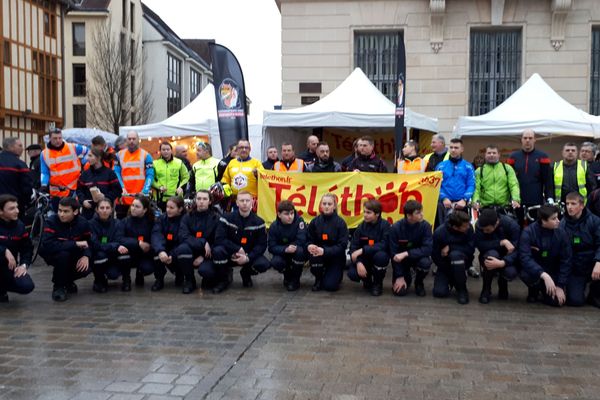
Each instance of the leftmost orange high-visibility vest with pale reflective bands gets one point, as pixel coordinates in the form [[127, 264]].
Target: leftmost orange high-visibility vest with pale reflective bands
[[65, 168]]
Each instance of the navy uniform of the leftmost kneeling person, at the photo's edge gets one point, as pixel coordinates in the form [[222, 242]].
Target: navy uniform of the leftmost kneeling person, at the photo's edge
[[15, 238]]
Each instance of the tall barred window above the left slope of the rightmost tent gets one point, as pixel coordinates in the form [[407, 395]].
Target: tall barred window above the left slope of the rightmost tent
[[494, 68]]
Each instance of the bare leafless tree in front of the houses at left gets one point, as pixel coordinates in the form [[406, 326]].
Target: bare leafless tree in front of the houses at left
[[116, 98]]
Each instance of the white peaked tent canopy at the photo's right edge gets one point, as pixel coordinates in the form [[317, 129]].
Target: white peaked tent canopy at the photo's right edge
[[533, 106]]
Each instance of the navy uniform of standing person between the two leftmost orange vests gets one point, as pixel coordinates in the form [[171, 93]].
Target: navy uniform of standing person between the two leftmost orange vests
[[104, 179]]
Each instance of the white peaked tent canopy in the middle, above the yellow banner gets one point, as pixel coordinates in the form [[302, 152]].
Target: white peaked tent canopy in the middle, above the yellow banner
[[355, 103]]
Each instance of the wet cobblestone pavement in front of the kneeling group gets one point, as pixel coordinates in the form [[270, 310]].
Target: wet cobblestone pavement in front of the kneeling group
[[266, 343]]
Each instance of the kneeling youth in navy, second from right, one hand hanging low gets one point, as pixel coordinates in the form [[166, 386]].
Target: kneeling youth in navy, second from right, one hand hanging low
[[545, 254]]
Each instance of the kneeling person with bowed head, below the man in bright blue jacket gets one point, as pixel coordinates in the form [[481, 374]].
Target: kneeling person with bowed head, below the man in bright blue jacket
[[453, 251]]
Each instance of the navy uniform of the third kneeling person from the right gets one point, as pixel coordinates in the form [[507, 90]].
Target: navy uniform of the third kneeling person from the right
[[488, 245]]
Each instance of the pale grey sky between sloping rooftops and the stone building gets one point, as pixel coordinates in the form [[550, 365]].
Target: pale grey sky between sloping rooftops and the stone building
[[251, 29]]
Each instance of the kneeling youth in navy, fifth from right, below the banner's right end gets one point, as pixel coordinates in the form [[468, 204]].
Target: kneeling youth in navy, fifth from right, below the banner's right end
[[410, 245]]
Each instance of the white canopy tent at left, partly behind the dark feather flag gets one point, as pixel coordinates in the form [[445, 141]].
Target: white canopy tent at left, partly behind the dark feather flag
[[196, 119]]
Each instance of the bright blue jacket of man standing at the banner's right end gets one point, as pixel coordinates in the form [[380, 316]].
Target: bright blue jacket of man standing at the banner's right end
[[458, 181]]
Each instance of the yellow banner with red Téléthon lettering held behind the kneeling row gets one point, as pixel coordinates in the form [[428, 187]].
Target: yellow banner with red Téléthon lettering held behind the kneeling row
[[352, 189]]
